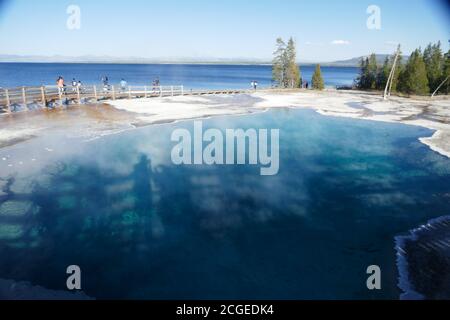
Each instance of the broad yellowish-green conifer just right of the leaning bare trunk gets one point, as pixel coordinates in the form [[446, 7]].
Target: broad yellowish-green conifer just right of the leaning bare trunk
[[413, 79]]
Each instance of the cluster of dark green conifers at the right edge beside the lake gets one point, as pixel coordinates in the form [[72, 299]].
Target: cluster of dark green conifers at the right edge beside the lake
[[421, 74]]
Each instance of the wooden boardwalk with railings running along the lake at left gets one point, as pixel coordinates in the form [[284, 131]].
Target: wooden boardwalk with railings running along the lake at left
[[43, 97]]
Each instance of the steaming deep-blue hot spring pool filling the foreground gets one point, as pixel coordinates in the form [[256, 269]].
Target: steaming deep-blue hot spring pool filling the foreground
[[141, 227]]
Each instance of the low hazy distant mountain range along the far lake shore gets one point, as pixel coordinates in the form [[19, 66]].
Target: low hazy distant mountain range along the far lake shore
[[354, 62]]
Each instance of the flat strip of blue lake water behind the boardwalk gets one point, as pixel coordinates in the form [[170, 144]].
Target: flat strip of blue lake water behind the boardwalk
[[191, 76]]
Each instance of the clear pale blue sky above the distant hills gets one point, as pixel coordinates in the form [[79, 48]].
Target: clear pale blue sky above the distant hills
[[220, 29]]
